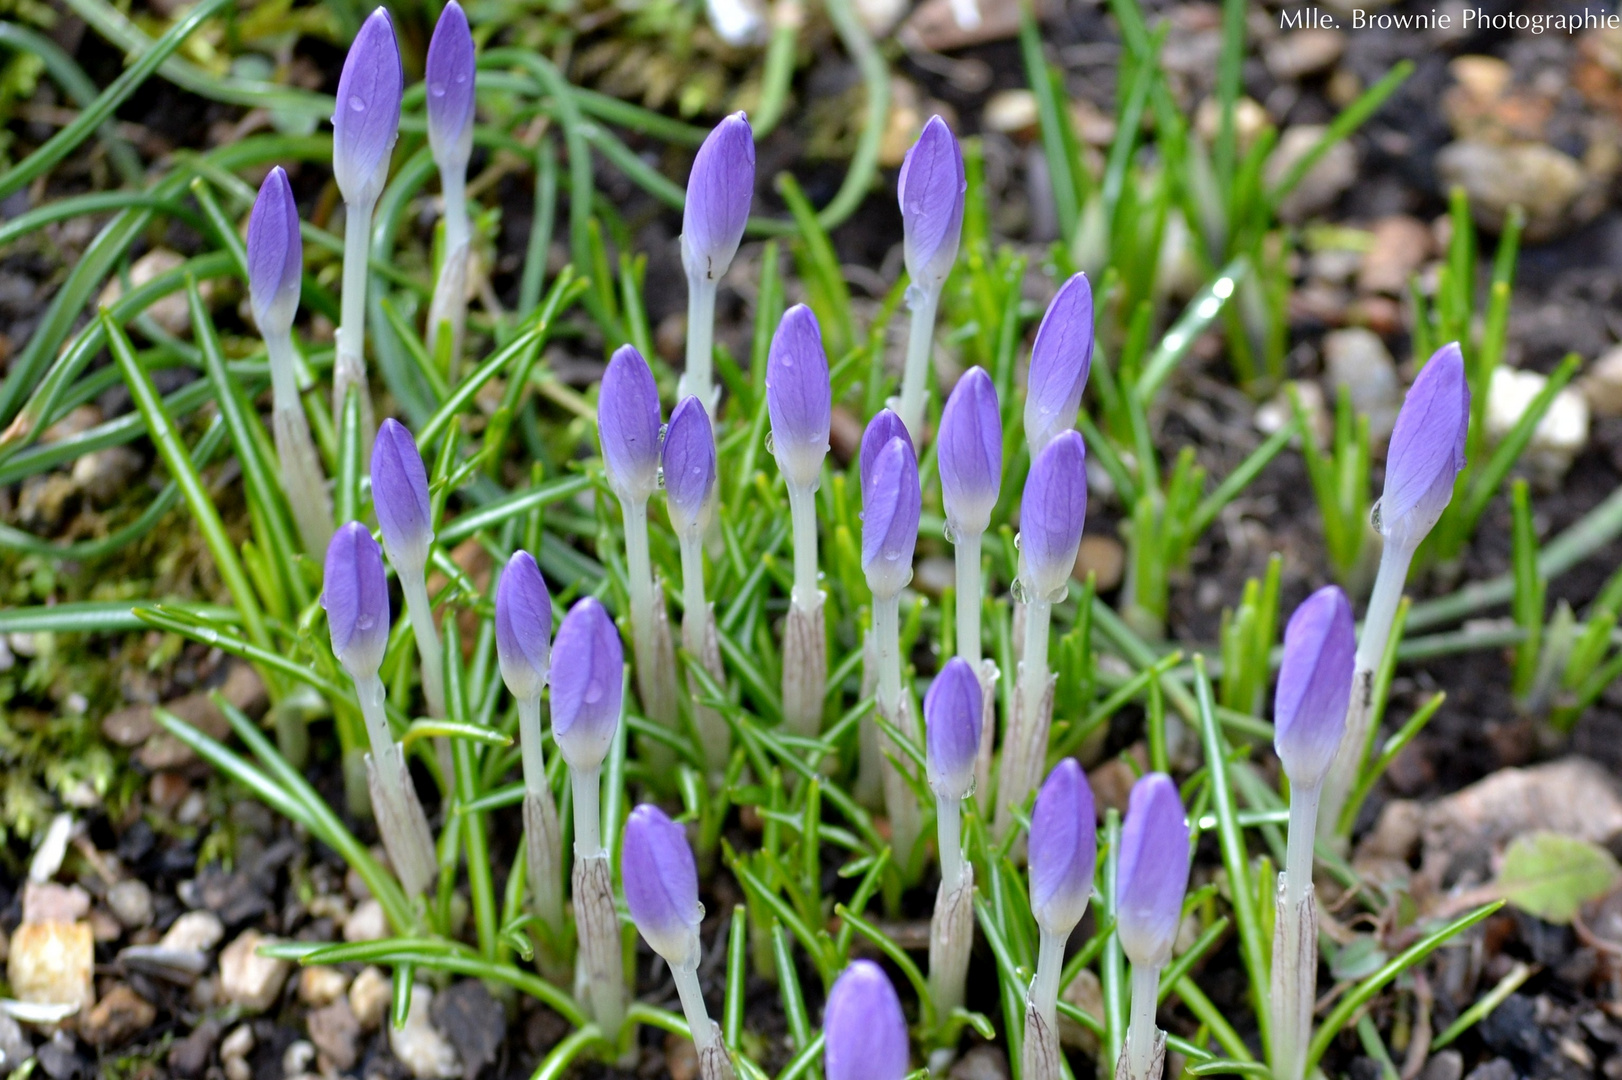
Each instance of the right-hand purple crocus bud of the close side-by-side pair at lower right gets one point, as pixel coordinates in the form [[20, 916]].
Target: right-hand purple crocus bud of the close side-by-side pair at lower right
[[1154, 872]]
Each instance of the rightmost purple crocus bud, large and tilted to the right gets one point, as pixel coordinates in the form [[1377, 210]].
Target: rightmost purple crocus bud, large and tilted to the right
[[1427, 452]]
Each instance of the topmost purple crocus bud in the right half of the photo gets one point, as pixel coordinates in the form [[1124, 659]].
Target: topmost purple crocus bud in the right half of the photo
[[932, 195]]
